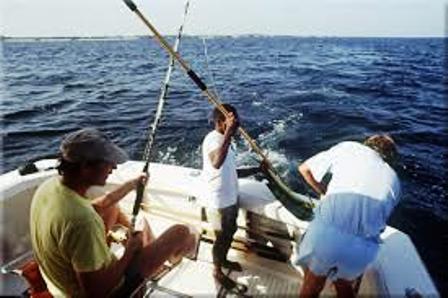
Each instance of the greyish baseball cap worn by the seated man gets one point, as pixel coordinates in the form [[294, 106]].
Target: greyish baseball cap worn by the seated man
[[89, 144]]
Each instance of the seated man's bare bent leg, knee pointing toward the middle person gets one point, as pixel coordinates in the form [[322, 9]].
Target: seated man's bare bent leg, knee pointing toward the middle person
[[175, 242]]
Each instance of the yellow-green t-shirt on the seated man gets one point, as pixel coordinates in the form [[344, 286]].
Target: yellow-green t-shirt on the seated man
[[67, 235]]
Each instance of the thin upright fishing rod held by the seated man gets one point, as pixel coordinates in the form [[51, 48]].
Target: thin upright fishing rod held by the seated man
[[158, 115]]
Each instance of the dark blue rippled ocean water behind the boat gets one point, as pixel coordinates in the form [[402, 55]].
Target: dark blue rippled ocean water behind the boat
[[295, 96]]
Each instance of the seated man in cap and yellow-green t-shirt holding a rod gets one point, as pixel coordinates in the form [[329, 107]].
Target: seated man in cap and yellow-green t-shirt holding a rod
[[69, 236]]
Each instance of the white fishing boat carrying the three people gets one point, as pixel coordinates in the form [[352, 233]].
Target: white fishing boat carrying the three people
[[268, 234]]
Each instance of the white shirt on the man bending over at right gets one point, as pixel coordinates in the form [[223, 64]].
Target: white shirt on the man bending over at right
[[362, 191]]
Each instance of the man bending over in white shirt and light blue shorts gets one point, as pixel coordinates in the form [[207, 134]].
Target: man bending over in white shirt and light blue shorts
[[344, 237]]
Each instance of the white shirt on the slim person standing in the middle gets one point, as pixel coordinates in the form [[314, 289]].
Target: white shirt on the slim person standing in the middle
[[220, 185]]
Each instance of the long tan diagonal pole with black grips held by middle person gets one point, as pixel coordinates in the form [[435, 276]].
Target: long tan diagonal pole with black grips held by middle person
[[272, 176]]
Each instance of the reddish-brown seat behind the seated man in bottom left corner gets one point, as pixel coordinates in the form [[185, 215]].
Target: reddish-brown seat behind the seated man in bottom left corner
[[26, 267]]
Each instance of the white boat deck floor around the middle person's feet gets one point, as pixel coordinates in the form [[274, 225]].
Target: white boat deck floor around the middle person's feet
[[261, 275]]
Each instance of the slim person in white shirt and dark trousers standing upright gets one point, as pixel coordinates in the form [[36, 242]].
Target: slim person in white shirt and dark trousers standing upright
[[221, 177]]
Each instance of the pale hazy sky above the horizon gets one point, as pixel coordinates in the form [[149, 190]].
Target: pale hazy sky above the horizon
[[49, 18]]
